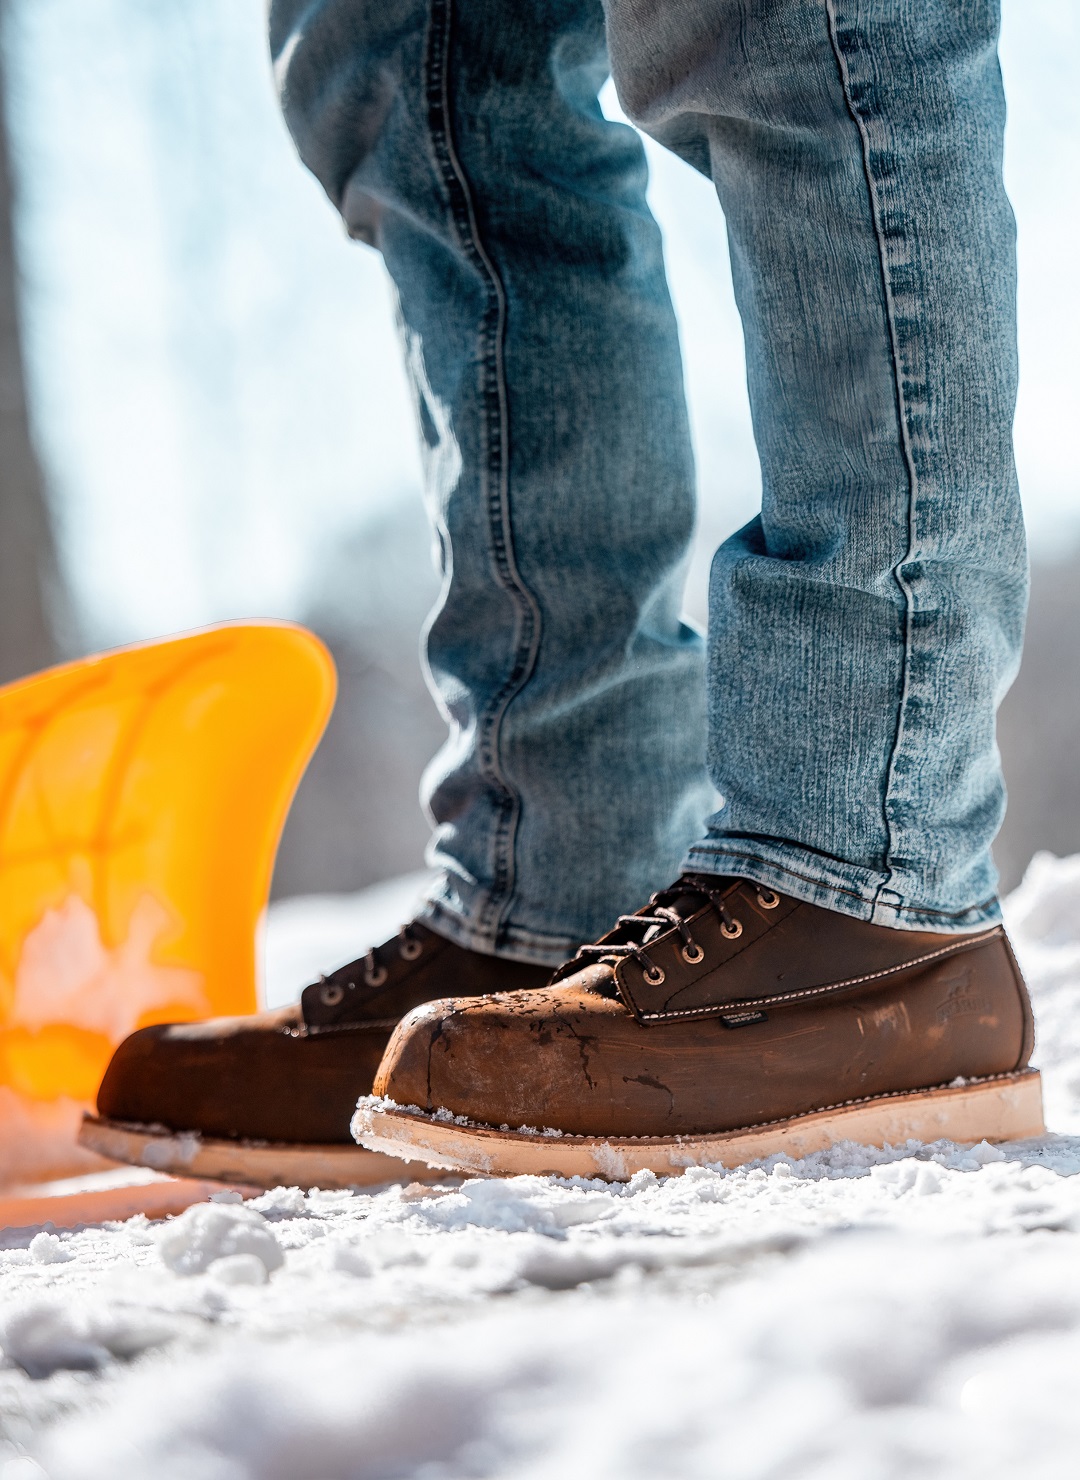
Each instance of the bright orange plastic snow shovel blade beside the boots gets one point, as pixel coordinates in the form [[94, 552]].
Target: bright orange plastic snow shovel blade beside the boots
[[143, 795]]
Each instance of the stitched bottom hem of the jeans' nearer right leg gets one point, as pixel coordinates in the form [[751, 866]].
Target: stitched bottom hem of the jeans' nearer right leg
[[859, 893]]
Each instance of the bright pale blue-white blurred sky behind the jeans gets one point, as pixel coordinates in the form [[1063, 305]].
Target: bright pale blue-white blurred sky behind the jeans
[[214, 366]]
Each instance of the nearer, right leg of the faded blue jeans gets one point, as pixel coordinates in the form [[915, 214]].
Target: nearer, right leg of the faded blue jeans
[[865, 630]]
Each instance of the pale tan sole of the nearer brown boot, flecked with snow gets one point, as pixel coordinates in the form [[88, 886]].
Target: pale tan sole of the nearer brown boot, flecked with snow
[[1008, 1108]]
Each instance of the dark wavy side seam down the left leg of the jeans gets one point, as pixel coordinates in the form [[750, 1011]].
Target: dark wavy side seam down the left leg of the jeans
[[496, 465]]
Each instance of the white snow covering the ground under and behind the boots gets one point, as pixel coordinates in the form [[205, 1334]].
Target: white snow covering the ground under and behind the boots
[[856, 1316]]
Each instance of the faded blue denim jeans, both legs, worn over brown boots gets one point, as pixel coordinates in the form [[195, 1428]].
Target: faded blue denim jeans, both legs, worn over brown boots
[[865, 628]]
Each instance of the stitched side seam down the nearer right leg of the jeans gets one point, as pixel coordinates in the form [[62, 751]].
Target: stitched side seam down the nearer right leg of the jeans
[[905, 442]]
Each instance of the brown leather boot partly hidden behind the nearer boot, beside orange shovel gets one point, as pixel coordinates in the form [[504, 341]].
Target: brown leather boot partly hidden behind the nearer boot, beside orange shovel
[[192, 1097]]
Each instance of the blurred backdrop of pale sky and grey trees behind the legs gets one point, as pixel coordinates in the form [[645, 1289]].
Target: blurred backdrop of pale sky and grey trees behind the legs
[[203, 412]]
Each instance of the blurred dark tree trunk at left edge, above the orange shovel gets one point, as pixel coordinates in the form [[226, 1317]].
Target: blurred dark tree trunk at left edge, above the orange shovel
[[29, 575]]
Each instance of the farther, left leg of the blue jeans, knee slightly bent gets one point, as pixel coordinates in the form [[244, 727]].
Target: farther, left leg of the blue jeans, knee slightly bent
[[464, 138]]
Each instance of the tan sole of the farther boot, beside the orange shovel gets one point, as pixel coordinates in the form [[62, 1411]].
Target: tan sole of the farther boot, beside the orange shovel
[[239, 1163]]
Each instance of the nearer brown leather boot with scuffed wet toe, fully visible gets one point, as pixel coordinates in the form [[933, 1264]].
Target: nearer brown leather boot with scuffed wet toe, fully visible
[[721, 1023]]
